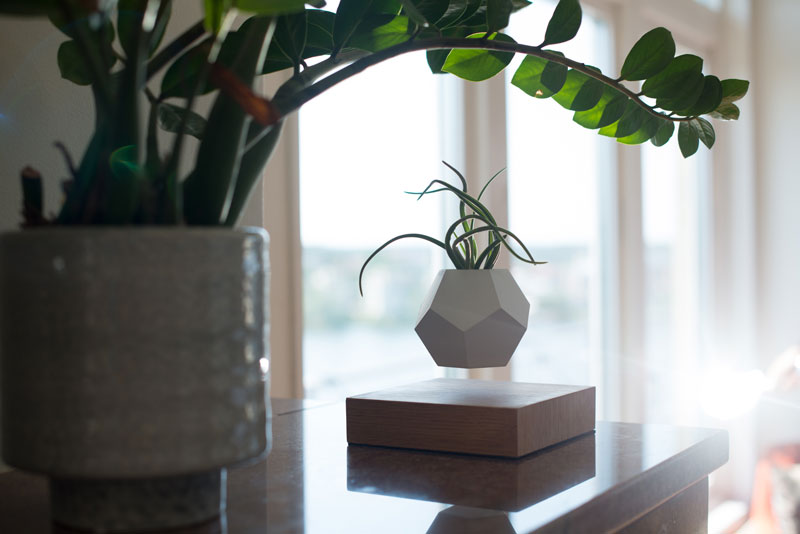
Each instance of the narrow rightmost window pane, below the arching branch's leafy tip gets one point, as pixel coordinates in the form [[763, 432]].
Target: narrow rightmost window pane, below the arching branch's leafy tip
[[673, 231]]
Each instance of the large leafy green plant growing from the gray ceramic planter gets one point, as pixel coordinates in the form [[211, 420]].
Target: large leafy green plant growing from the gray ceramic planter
[[114, 47]]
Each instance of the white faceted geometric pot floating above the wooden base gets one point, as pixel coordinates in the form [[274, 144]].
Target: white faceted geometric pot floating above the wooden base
[[473, 318]]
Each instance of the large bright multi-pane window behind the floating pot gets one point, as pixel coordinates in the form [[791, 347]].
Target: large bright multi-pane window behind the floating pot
[[624, 302]]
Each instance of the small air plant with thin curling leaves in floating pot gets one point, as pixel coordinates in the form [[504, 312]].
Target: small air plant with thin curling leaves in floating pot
[[459, 241]]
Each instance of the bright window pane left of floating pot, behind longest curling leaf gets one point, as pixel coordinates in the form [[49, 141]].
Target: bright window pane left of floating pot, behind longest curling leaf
[[362, 145]]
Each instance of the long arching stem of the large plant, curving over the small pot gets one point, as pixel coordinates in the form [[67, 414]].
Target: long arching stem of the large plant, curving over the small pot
[[293, 101]]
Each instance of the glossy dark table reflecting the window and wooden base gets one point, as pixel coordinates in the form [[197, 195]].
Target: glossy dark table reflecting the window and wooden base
[[623, 478]]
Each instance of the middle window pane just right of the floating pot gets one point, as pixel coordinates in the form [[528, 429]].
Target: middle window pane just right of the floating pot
[[554, 168]]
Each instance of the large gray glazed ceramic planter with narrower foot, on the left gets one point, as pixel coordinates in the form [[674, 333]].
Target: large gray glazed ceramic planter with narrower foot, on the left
[[132, 368]]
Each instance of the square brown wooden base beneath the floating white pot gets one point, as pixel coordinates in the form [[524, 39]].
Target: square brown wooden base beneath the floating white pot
[[508, 419]]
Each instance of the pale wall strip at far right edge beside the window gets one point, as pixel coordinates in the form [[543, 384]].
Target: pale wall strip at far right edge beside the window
[[777, 76]]
